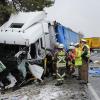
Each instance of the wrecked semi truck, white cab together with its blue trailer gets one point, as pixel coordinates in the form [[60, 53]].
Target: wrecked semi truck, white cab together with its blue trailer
[[30, 32]]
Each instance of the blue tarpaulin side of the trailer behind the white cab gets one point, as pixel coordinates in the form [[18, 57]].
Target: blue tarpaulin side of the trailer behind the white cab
[[66, 35]]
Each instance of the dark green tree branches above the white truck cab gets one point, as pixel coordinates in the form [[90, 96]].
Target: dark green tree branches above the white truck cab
[[10, 6]]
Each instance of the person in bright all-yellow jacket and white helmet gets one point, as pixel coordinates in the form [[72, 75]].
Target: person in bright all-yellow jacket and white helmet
[[78, 59]]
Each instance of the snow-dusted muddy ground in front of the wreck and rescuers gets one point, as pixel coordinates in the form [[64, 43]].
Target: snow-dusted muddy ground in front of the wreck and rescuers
[[70, 90]]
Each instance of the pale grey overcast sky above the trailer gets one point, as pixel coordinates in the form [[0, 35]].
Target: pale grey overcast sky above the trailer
[[80, 15]]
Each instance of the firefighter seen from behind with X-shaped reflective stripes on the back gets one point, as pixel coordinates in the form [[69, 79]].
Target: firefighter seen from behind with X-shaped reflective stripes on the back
[[60, 58]]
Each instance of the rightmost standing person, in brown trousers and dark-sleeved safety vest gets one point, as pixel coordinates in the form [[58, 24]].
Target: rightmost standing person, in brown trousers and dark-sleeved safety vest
[[85, 60]]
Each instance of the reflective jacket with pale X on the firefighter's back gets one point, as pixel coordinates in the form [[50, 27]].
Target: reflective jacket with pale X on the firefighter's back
[[61, 58]]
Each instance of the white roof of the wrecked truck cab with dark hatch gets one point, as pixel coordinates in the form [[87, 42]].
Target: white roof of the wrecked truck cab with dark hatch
[[23, 28]]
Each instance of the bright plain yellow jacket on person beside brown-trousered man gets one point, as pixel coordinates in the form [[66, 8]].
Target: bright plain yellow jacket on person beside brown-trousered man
[[78, 58]]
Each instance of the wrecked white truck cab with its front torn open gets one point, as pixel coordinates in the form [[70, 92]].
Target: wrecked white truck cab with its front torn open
[[23, 39]]
